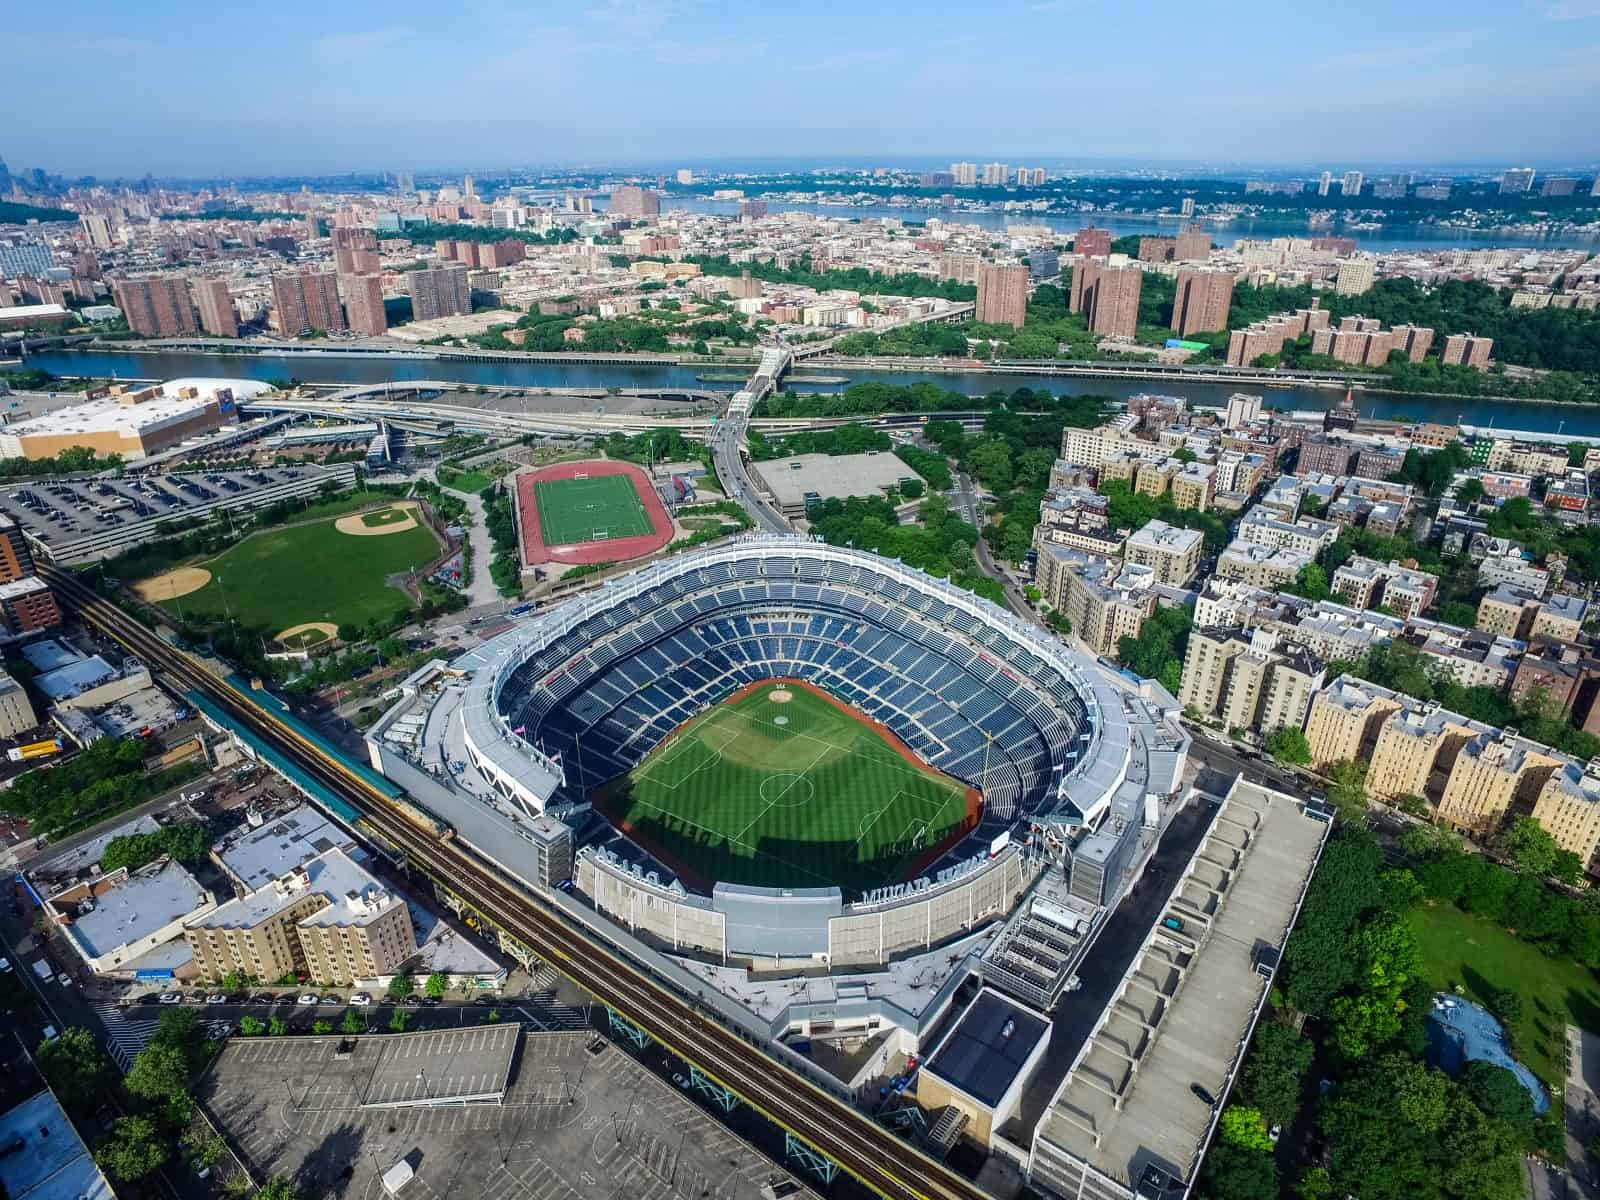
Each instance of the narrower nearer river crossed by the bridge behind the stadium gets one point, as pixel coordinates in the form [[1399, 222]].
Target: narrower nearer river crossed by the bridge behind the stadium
[[1583, 420]]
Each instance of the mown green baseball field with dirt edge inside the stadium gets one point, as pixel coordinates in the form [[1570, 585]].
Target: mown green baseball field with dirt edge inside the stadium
[[786, 794]]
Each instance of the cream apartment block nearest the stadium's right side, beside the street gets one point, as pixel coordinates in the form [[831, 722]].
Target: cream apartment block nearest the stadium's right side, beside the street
[[1250, 679]]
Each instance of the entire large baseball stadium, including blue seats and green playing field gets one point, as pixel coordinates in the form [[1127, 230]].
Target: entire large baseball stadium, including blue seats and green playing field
[[812, 754]]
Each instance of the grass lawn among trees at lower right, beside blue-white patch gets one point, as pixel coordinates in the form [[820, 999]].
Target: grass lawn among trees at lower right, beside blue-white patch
[[1466, 951]]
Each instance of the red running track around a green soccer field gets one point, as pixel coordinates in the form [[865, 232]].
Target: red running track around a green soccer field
[[590, 513]]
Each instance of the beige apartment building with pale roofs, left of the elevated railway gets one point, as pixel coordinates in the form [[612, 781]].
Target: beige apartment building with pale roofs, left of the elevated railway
[[327, 921]]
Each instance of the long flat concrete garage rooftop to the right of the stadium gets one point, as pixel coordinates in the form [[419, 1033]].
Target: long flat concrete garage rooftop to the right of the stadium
[[1188, 1001]]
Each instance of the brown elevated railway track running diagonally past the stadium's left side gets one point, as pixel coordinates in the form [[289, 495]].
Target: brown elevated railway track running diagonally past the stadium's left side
[[862, 1148]]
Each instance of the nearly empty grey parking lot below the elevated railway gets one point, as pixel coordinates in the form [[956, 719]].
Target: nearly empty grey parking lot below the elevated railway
[[580, 1121]]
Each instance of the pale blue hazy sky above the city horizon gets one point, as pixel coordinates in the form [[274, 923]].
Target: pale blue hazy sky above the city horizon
[[186, 89]]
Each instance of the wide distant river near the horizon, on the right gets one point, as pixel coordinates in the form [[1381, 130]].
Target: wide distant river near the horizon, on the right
[[1377, 241]]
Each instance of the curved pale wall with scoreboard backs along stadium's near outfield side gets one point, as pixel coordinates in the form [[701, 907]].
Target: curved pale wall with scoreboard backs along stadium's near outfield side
[[806, 926]]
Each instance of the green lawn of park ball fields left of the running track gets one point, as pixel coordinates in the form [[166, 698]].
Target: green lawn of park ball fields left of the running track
[[310, 574]]
